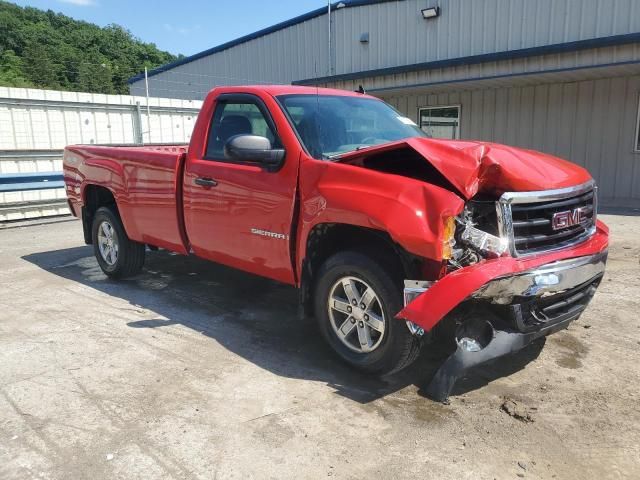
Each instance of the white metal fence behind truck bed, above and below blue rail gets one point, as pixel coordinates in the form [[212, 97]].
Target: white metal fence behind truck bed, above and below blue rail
[[35, 125]]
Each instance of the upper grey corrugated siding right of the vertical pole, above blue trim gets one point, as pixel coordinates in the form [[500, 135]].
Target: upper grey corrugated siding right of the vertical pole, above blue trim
[[400, 36]]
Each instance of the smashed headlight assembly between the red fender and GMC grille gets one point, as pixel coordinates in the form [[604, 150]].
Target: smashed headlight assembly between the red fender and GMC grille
[[477, 234]]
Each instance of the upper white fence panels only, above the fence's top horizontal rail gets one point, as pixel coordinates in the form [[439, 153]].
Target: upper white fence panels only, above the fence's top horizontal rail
[[48, 119]]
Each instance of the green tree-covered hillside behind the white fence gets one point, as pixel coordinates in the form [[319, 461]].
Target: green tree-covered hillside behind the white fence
[[50, 50]]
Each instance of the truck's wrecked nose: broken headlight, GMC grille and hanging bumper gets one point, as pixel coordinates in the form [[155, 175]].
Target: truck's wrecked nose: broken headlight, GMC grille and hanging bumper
[[511, 278]]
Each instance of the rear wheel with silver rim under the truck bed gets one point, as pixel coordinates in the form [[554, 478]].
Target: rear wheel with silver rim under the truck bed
[[117, 255]]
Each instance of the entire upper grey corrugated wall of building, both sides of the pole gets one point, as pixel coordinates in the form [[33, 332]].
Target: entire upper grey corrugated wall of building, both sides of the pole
[[399, 36]]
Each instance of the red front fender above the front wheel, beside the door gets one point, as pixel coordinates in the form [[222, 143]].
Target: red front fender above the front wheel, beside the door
[[410, 211]]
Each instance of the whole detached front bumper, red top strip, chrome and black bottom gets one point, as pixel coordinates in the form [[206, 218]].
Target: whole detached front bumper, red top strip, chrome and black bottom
[[524, 299]]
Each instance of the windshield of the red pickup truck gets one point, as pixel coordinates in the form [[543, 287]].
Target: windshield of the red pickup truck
[[330, 126]]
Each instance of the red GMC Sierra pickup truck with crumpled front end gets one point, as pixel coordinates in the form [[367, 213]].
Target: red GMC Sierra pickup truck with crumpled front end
[[395, 240]]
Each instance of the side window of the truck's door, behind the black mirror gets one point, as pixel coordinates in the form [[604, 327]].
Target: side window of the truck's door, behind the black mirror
[[236, 118]]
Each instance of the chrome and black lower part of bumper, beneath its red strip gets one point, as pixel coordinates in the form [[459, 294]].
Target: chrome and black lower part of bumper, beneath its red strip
[[510, 312]]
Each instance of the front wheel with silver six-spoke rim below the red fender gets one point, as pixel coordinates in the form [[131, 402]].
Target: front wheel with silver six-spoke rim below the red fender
[[355, 301]]
